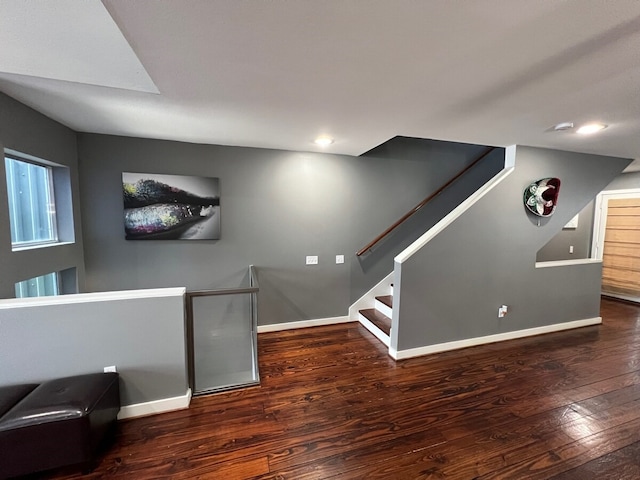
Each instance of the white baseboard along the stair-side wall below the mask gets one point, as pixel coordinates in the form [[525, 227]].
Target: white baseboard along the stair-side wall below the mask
[[499, 337]]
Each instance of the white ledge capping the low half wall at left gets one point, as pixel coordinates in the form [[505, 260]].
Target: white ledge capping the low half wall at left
[[91, 297]]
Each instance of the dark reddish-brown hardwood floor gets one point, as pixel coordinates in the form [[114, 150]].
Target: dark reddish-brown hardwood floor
[[332, 404]]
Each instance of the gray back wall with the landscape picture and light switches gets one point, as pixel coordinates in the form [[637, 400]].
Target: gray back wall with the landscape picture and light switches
[[276, 208]]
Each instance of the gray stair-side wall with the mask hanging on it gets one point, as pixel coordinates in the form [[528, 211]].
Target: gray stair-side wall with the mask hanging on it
[[451, 289]]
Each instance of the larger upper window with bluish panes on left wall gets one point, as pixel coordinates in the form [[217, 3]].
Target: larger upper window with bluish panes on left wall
[[32, 210]]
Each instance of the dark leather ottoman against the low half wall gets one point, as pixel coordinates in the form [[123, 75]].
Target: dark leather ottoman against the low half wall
[[59, 422]]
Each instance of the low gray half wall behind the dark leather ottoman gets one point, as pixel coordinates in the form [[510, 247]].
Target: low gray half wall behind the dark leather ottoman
[[143, 337]]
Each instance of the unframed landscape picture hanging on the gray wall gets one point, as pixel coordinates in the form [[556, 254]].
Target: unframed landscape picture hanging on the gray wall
[[170, 207]]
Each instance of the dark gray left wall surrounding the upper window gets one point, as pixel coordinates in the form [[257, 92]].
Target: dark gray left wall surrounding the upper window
[[27, 131]]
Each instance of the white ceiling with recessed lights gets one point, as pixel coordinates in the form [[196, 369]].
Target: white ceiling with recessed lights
[[278, 73]]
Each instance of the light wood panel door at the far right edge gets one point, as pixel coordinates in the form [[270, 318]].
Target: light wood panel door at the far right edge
[[621, 254]]
